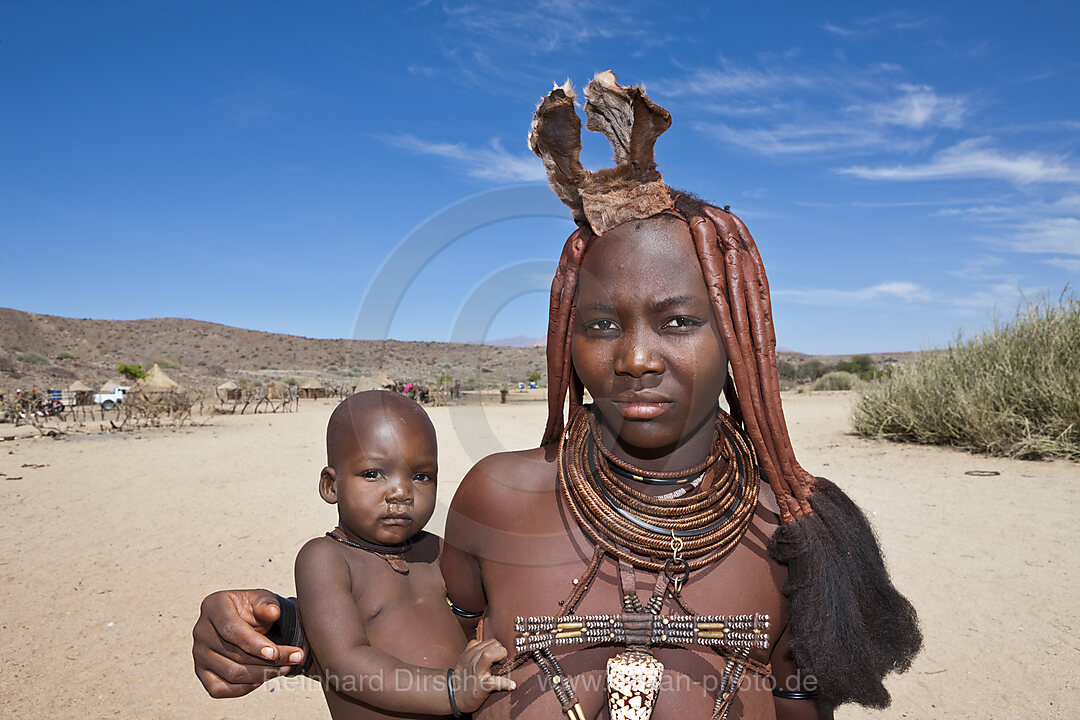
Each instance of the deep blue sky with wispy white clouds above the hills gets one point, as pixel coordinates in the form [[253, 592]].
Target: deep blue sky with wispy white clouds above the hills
[[907, 172]]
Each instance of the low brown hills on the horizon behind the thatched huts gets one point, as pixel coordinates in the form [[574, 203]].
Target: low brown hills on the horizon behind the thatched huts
[[47, 351]]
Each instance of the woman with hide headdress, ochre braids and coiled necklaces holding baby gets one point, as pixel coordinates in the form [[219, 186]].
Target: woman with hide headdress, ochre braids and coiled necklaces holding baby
[[656, 555]]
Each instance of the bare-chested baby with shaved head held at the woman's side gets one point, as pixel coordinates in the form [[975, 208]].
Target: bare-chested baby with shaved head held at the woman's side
[[371, 594]]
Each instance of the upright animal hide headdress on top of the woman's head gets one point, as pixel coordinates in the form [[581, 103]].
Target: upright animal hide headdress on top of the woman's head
[[632, 124]]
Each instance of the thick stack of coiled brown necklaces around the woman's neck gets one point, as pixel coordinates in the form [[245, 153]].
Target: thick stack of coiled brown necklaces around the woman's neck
[[695, 529]]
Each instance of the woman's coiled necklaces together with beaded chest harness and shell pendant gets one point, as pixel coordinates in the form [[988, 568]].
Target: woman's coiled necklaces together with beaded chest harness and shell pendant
[[671, 535]]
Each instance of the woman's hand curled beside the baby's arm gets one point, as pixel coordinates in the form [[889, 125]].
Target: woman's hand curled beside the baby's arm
[[232, 653]]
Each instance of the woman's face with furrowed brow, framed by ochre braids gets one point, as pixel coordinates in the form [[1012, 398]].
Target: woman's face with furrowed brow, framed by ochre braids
[[645, 343]]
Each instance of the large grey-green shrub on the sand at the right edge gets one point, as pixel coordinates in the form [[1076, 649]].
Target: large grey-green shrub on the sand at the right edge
[[1015, 390]]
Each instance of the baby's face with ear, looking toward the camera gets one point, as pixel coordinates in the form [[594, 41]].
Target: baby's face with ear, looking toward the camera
[[385, 480]]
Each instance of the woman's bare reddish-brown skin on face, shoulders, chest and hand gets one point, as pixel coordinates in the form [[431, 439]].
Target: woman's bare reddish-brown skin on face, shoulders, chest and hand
[[644, 324]]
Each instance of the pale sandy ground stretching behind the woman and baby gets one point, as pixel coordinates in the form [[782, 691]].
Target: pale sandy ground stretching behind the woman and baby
[[111, 547]]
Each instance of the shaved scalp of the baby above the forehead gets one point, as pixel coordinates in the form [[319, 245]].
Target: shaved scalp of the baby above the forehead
[[359, 414]]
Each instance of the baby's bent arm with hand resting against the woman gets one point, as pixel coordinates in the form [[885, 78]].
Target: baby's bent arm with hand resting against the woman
[[352, 667]]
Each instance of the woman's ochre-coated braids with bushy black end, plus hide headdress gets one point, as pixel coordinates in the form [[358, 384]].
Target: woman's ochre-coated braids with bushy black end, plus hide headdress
[[848, 624]]
